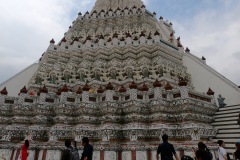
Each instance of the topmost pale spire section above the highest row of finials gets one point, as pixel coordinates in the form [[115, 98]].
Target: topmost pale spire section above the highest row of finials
[[114, 4]]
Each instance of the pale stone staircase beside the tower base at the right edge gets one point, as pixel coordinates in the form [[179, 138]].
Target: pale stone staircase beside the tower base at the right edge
[[228, 129]]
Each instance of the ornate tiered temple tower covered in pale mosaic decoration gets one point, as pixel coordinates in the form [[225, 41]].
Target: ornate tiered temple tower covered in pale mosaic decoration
[[117, 76]]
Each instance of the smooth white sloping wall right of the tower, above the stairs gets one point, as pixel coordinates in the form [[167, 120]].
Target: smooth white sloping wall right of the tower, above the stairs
[[204, 77]]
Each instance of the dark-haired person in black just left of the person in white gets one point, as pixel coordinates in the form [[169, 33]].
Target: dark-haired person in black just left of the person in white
[[203, 153]]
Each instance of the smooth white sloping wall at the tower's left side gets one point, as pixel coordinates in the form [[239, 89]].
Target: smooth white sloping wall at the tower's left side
[[17, 82]]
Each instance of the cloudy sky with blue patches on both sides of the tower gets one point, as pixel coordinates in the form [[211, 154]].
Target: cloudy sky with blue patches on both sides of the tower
[[210, 28]]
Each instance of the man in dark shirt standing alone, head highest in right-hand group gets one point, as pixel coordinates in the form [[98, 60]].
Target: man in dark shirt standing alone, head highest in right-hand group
[[166, 150]]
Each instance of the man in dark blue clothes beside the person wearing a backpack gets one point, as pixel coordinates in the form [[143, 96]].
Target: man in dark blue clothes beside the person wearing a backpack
[[87, 150]]
